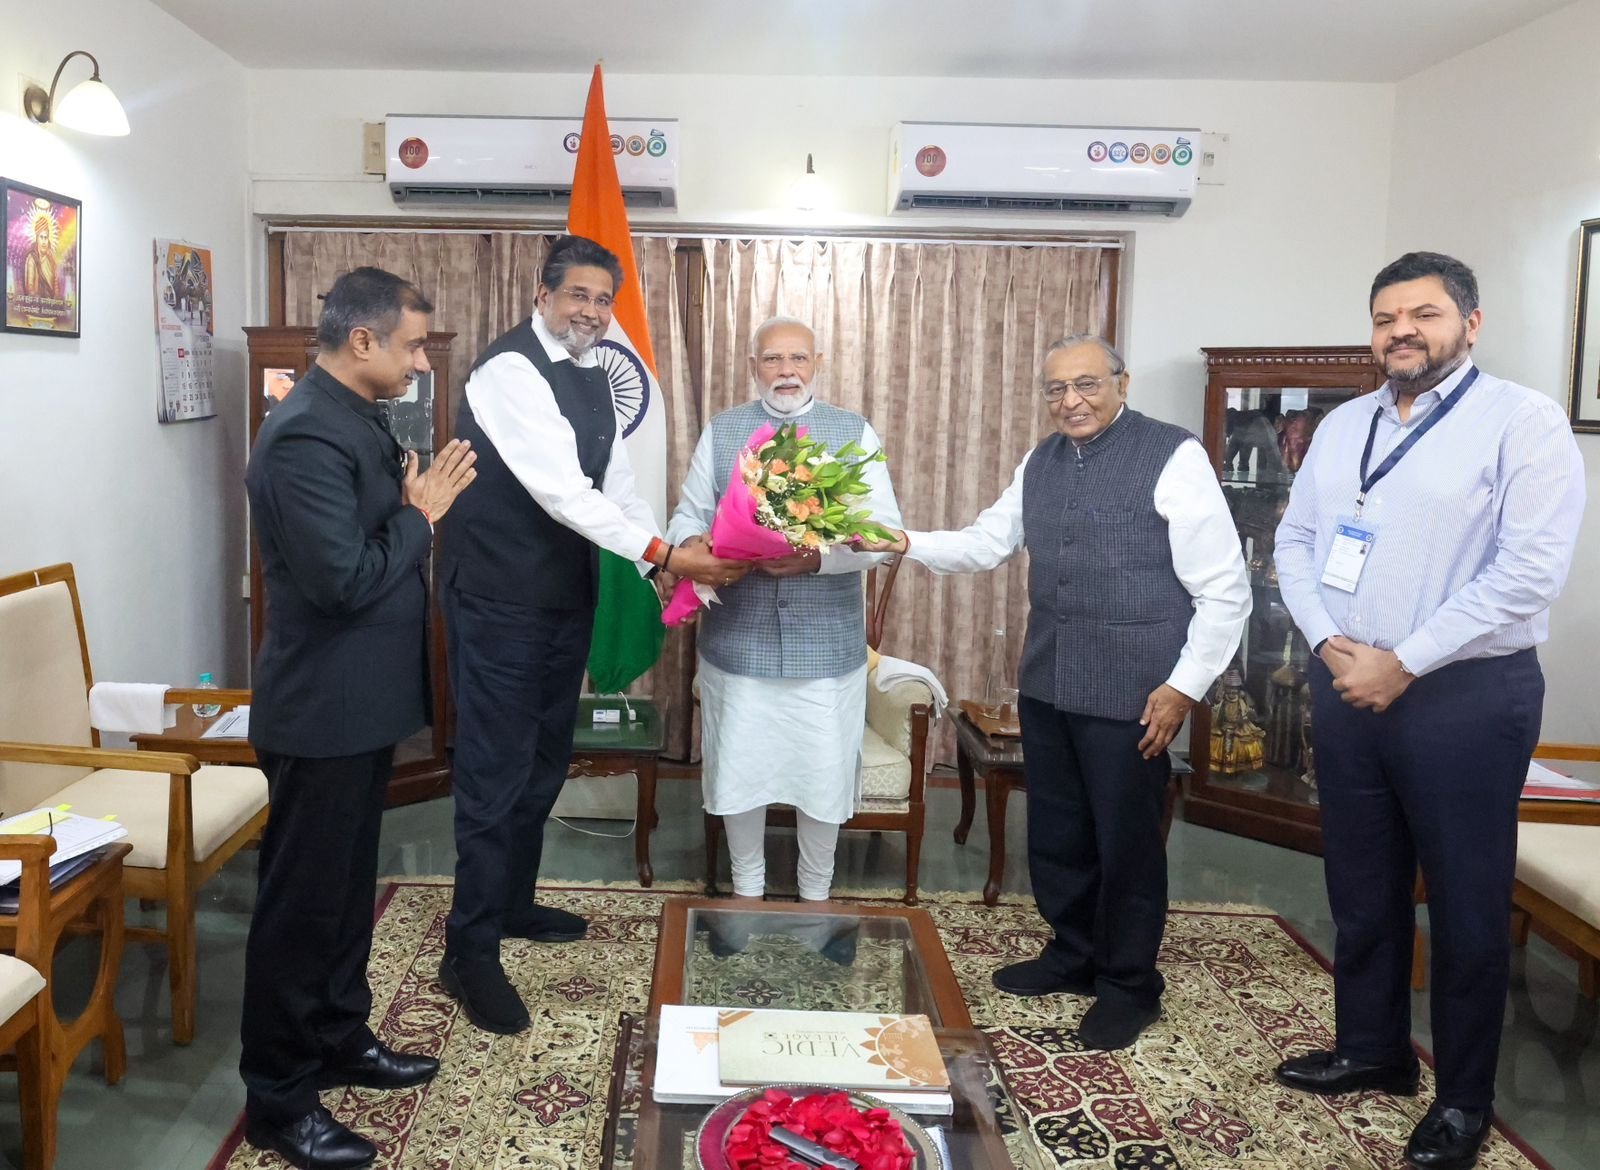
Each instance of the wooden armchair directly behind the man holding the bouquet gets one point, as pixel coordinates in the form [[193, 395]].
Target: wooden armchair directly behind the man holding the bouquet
[[894, 756]]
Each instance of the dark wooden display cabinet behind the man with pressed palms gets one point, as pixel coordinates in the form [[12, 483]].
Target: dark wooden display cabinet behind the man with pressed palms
[[279, 358]]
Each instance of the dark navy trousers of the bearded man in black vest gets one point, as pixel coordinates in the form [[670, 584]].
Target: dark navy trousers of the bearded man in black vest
[[516, 673]]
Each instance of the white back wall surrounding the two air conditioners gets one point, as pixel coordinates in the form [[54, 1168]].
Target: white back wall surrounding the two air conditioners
[[1282, 255]]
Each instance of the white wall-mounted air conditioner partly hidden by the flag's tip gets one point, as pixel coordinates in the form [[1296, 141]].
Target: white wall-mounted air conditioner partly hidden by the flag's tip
[[447, 159]]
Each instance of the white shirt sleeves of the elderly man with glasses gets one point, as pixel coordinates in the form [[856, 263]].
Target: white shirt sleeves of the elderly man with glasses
[[1201, 535]]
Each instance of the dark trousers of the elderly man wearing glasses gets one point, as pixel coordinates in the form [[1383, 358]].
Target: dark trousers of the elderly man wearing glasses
[[1095, 849]]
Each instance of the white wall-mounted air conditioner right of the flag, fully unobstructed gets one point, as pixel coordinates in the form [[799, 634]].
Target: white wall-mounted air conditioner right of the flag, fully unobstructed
[[969, 167]]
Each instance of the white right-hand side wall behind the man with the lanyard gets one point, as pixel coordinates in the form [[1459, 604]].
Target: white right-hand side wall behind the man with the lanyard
[[1497, 161]]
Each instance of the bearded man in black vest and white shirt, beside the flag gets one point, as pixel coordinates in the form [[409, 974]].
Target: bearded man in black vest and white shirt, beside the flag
[[521, 580]]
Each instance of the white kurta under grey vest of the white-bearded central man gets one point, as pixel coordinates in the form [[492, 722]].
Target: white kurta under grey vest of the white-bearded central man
[[788, 742]]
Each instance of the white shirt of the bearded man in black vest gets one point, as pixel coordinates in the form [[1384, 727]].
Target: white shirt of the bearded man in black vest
[[518, 412]]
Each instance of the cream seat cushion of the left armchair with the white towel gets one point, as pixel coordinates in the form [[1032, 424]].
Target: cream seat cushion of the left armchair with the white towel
[[225, 799]]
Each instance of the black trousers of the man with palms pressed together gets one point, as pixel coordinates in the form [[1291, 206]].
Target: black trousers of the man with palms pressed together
[[306, 995]]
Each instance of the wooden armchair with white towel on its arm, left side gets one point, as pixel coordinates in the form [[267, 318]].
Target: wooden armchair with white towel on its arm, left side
[[183, 820]]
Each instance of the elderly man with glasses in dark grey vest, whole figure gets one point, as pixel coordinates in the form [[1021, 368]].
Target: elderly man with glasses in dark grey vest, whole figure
[[1138, 598]]
